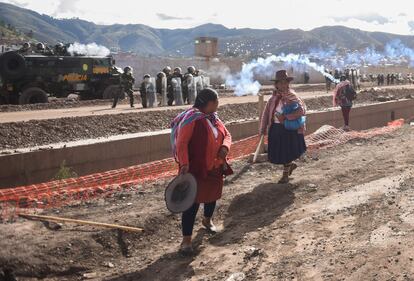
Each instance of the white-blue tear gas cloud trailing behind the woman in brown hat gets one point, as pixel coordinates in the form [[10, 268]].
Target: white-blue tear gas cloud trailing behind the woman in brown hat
[[244, 82]]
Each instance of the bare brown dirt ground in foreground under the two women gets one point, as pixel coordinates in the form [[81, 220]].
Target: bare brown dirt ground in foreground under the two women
[[348, 214]]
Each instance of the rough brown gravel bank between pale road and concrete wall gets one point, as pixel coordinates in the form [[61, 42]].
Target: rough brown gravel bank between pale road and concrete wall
[[33, 133]]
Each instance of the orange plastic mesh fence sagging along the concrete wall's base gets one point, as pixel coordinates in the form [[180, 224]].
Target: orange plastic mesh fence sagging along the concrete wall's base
[[14, 201]]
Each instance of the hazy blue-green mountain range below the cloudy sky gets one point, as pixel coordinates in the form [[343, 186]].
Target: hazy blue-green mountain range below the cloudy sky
[[145, 40]]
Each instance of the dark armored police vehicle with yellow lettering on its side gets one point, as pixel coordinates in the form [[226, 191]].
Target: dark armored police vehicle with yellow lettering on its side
[[32, 78]]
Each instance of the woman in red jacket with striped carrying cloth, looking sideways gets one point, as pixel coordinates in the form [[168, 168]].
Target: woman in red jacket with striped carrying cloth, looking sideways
[[201, 144]]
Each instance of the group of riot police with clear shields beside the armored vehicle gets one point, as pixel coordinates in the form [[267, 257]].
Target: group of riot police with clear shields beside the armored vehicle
[[168, 88]]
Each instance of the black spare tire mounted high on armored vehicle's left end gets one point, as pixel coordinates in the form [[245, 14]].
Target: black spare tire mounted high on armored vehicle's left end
[[12, 65]]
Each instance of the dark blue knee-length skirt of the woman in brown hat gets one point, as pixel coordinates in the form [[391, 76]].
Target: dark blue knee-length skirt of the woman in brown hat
[[284, 146]]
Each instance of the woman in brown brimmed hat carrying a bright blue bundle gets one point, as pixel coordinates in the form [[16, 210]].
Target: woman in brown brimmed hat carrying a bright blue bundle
[[284, 121]]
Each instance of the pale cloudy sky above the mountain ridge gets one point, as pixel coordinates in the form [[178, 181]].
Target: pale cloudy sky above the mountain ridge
[[371, 15]]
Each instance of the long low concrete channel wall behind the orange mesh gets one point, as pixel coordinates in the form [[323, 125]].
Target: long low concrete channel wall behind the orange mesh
[[91, 156]]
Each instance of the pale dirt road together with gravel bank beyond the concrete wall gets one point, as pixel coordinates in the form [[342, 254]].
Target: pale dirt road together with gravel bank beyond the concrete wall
[[32, 128]]
